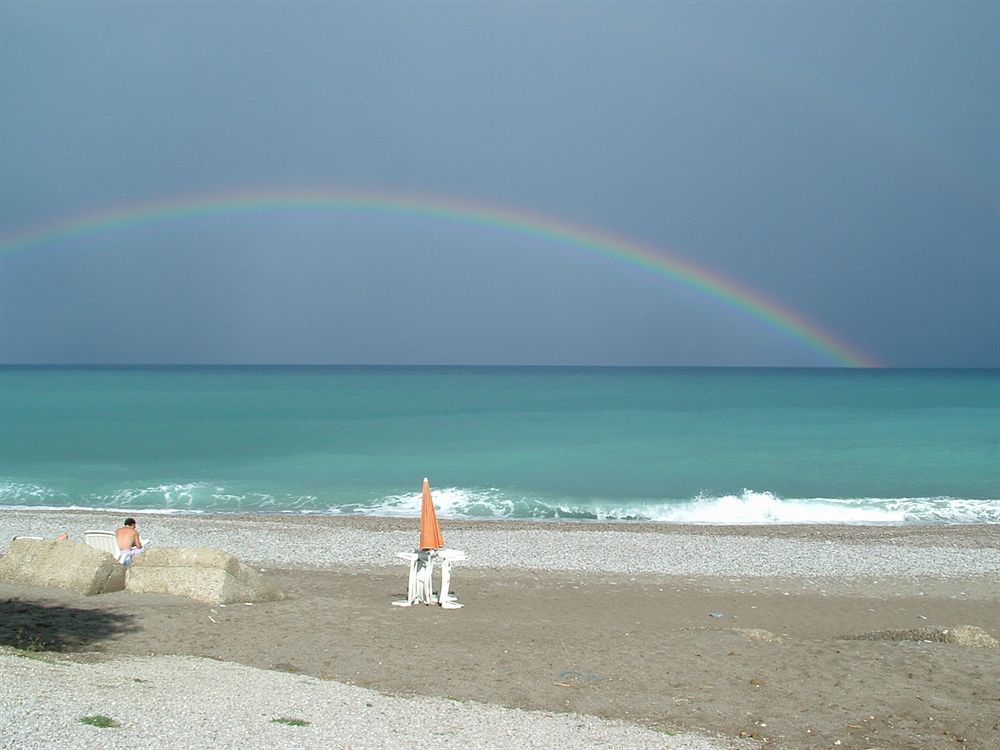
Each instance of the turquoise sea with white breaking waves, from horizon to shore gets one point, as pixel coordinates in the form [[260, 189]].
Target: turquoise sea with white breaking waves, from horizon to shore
[[583, 444]]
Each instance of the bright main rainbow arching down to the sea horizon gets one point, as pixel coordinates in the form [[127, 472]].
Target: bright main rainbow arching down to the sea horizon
[[678, 270]]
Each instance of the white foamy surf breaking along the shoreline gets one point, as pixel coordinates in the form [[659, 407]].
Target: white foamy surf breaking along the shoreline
[[747, 507]]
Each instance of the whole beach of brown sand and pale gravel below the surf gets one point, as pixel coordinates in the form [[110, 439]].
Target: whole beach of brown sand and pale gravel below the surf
[[639, 635]]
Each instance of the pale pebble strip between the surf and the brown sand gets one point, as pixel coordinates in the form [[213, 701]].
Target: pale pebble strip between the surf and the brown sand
[[327, 542]]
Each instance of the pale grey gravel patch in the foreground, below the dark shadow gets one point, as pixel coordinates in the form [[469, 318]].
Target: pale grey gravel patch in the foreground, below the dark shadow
[[181, 702]]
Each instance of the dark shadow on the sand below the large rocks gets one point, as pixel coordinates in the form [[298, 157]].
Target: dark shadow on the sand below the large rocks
[[31, 626]]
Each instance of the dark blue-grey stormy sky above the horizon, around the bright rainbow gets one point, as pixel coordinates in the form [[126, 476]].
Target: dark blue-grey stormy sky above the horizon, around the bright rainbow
[[838, 158]]
